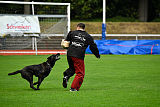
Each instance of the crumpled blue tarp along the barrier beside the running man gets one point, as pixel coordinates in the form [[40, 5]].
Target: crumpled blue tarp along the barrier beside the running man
[[130, 47]]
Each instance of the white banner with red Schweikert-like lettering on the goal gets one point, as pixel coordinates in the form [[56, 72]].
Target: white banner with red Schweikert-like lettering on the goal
[[19, 24]]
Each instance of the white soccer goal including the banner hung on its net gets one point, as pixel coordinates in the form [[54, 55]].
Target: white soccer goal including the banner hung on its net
[[53, 20]]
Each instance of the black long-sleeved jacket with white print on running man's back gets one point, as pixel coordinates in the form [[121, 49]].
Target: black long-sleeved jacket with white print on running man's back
[[79, 41]]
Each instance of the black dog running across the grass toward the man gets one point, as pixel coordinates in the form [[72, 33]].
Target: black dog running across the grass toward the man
[[41, 71]]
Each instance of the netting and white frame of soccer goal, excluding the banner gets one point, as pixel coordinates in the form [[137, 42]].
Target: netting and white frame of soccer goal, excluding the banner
[[54, 23]]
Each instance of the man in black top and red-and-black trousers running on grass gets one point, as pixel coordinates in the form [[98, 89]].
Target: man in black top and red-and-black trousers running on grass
[[79, 41]]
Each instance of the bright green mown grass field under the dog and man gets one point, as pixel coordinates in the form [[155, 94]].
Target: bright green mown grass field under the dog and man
[[112, 81]]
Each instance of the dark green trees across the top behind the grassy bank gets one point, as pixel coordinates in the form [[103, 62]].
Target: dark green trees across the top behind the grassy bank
[[116, 10]]
